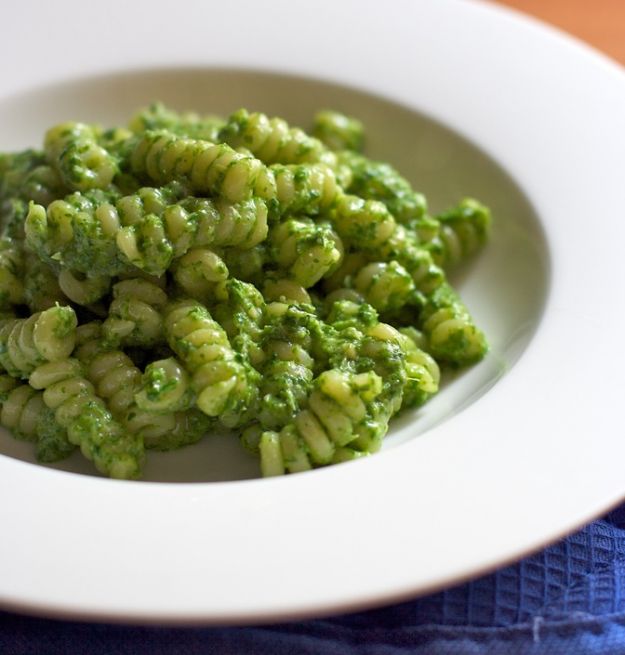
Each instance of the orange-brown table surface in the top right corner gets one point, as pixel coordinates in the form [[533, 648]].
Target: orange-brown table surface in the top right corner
[[600, 23]]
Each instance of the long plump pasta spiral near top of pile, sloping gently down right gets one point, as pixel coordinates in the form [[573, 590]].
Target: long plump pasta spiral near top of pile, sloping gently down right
[[210, 168]]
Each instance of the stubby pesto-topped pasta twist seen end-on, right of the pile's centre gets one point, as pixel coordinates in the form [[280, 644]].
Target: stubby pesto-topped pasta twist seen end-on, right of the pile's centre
[[308, 251]]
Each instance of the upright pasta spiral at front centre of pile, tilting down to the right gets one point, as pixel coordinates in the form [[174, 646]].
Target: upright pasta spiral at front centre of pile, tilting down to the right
[[226, 385]]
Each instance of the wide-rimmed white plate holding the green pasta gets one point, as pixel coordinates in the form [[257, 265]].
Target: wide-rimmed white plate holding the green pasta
[[467, 99]]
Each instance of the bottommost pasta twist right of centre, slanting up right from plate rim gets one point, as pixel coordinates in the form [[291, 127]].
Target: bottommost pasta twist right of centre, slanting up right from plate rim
[[341, 410]]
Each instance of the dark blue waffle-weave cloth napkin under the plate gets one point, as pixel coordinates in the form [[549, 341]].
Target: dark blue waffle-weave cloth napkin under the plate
[[568, 599]]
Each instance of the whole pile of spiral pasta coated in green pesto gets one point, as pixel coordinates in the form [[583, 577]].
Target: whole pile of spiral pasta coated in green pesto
[[190, 273]]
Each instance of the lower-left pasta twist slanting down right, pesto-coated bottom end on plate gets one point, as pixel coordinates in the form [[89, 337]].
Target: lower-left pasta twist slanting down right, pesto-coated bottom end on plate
[[89, 424]]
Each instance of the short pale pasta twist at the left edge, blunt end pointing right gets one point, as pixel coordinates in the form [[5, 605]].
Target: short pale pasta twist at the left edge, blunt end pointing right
[[46, 336]]
